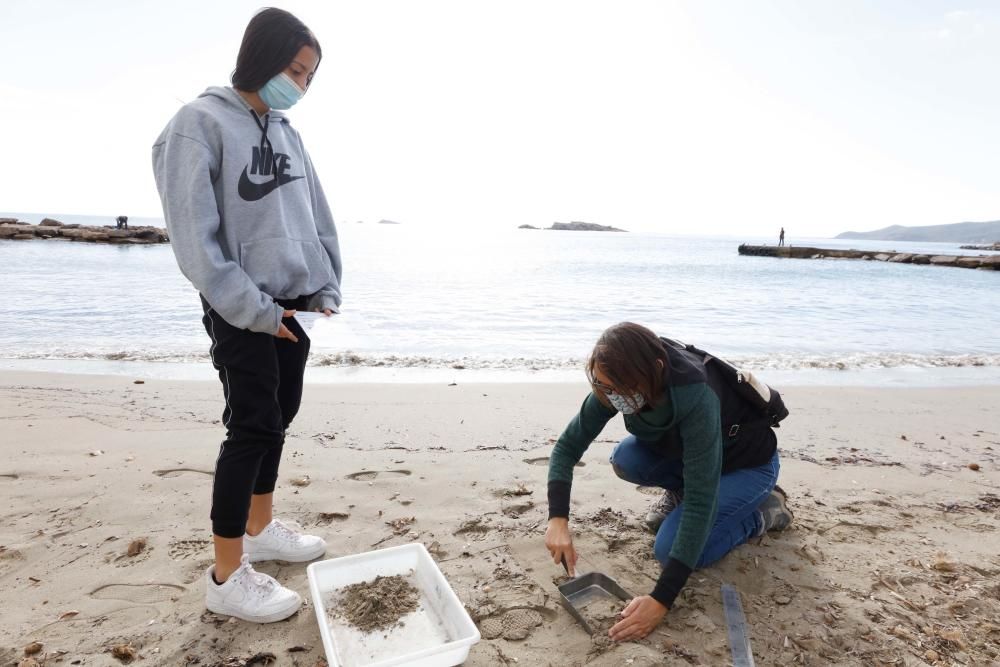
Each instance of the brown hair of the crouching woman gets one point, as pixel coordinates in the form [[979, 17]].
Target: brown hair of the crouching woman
[[628, 354]]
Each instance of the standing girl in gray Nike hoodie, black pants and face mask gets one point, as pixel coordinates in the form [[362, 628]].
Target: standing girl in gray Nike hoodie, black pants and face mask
[[252, 231]]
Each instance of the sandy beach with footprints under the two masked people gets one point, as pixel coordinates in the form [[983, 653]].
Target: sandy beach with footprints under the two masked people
[[104, 537]]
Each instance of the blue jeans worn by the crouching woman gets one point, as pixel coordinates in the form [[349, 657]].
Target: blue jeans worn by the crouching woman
[[740, 494]]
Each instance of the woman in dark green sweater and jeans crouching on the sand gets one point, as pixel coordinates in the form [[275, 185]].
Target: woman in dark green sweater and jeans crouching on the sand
[[695, 433]]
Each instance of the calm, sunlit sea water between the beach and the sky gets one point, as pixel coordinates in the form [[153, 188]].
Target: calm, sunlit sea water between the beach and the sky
[[422, 304]]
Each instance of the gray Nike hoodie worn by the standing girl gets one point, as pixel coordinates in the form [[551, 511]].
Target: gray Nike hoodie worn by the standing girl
[[246, 215]]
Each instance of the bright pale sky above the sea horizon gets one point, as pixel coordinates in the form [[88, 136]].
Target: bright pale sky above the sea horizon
[[700, 117]]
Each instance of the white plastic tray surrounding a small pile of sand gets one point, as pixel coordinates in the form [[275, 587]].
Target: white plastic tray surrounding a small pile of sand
[[438, 634]]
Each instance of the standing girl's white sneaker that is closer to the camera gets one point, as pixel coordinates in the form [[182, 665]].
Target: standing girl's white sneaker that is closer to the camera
[[250, 595]]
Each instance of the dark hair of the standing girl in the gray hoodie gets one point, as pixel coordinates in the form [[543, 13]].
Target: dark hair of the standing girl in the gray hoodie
[[271, 41]]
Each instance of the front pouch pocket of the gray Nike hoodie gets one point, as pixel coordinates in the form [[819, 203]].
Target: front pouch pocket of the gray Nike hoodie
[[284, 267]]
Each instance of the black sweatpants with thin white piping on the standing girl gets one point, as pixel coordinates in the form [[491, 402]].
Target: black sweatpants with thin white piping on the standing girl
[[262, 383]]
